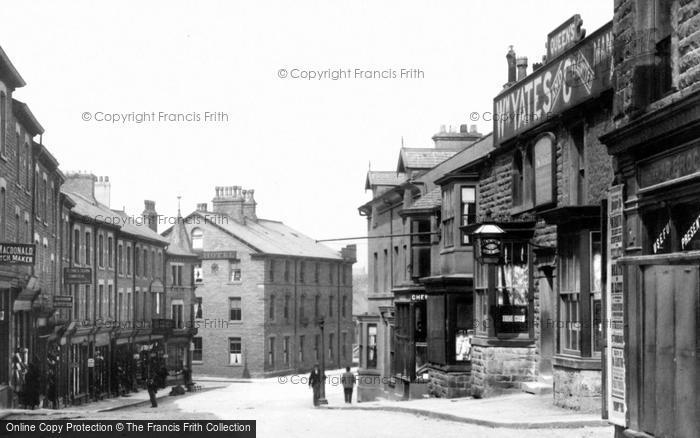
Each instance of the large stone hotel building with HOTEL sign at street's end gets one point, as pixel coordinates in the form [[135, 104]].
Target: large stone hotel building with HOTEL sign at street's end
[[261, 288]]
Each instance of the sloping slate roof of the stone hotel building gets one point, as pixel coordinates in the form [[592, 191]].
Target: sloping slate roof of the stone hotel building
[[269, 237]]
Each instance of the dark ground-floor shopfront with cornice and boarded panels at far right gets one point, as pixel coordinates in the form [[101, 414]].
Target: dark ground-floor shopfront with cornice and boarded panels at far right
[[653, 274]]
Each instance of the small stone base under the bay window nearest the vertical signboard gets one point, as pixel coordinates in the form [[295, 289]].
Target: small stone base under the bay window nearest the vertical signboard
[[580, 390]]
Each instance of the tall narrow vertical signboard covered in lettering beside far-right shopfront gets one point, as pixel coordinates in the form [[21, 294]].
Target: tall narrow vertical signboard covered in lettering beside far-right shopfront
[[615, 312]]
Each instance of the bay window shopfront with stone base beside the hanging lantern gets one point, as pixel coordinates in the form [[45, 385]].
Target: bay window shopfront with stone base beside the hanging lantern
[[503, 347]]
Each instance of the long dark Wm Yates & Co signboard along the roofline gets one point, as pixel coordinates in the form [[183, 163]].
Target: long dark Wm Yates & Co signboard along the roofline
[[580, 73]]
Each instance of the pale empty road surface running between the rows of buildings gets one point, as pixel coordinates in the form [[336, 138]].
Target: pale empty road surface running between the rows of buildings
[[284, 408]]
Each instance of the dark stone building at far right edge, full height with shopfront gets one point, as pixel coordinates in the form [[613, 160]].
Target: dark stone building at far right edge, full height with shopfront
[[653, 342]]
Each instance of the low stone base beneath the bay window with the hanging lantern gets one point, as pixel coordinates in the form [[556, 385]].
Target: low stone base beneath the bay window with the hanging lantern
[[499, 369]]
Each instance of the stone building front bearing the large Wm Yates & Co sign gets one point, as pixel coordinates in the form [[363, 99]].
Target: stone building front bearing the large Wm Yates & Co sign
[[543, 187]]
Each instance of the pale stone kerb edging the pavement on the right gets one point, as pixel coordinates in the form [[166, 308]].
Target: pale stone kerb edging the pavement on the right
[[574, 424]]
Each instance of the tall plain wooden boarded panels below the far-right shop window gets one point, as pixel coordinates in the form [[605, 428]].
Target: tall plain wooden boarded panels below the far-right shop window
[[668, 390]]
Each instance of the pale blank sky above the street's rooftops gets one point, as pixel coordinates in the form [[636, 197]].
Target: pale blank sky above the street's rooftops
[[303, 145]]
